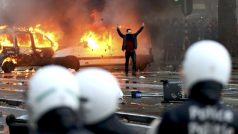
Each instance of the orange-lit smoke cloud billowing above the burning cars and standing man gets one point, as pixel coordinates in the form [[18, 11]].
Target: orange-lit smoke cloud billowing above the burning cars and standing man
[[71, 18]]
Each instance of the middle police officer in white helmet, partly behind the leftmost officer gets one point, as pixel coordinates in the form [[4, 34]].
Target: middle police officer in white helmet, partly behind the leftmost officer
[[99, 94]]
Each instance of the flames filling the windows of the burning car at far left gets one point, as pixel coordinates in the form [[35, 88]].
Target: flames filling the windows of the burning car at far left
[[42, 38]]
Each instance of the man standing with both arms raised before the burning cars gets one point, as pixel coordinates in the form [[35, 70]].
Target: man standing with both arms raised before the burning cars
[[130, 45]]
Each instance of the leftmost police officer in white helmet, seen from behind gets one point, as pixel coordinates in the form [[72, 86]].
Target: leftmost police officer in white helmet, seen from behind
[[53, 103]]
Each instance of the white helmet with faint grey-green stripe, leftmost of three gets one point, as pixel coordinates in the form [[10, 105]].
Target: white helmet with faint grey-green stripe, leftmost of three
[[51, 87]]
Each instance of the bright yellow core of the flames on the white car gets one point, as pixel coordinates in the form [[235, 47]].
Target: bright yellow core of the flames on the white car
[[96, 41]]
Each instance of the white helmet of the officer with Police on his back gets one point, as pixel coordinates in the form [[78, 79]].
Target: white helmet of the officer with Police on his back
[[206, 60]]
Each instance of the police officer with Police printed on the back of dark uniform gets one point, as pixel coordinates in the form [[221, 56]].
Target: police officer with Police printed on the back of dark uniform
[[207, 69]]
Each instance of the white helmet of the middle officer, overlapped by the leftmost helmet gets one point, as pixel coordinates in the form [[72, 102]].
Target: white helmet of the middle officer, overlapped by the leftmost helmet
[[100, 89]]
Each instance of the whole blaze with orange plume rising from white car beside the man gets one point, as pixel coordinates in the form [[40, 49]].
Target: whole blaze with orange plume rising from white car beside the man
[[98, 37]]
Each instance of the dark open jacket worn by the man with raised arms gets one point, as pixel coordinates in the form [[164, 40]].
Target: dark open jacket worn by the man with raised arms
[[131, 37]]
